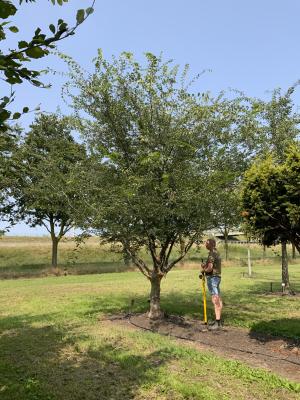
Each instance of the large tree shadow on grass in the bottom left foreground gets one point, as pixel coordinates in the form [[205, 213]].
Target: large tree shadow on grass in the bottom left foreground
[[47, 362]]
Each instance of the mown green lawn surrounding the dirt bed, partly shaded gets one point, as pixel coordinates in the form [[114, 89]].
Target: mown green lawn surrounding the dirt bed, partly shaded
[[56, 344]]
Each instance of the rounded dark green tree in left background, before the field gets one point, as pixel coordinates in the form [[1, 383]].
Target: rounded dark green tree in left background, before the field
[[45, 165]]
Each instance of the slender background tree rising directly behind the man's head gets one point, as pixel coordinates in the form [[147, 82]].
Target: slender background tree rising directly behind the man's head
[[239, 139]]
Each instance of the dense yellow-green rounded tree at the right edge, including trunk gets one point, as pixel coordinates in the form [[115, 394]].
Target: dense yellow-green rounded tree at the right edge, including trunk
[[270, 200]]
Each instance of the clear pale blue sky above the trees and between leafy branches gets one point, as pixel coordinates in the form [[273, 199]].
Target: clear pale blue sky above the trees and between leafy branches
[[252, 46]]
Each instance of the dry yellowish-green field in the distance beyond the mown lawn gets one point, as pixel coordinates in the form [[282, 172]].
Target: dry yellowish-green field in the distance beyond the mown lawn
[[31, 256]]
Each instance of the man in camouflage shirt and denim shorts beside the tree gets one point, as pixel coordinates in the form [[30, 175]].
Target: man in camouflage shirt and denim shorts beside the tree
[[212, 270]]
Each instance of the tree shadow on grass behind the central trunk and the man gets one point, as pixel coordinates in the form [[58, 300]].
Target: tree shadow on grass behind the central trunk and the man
[[251, 307]]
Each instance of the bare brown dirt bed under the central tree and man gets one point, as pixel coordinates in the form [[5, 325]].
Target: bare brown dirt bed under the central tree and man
[[278, 355]]
